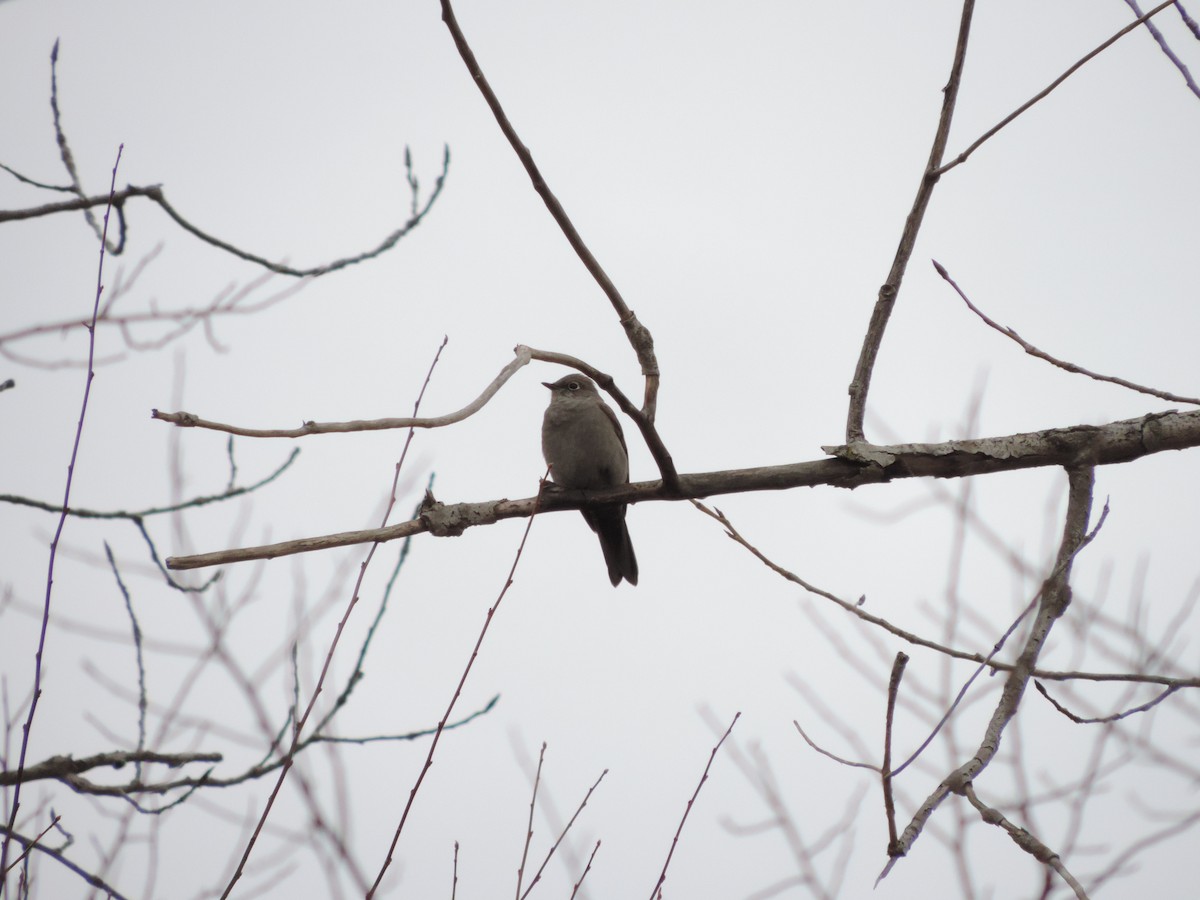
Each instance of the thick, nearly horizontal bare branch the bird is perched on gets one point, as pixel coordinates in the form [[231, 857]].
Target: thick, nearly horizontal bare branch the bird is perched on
[[853, 466]]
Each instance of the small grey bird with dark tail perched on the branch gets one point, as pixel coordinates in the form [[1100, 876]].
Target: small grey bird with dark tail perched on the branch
[[586, 449]]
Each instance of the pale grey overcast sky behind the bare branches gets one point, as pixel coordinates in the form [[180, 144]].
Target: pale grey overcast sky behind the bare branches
[[743, 172]]
